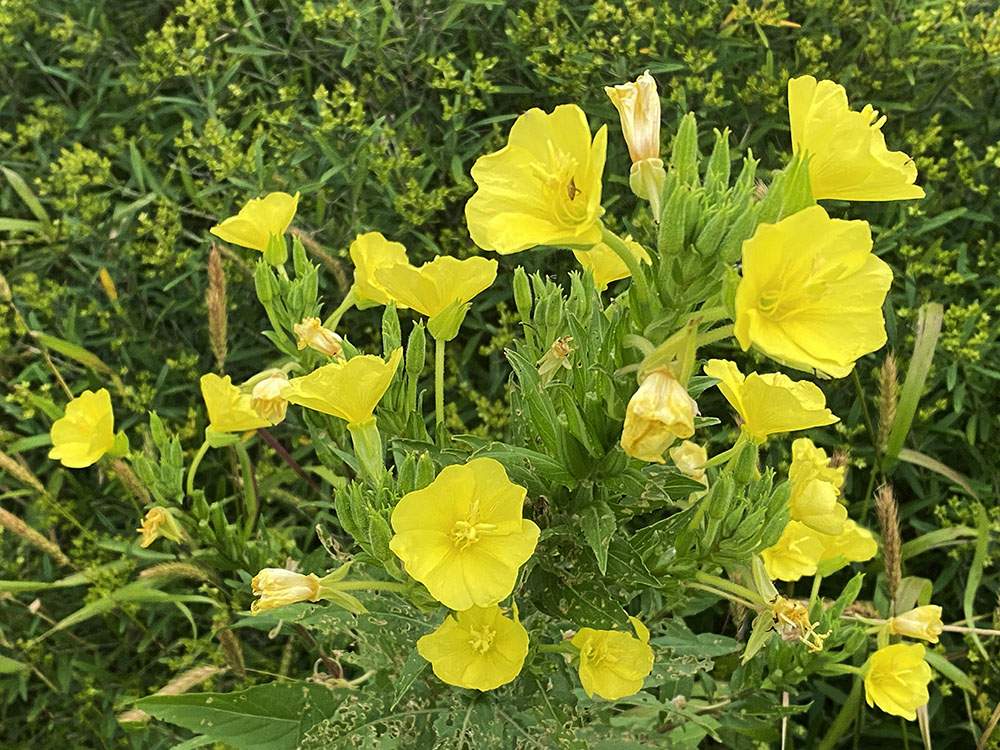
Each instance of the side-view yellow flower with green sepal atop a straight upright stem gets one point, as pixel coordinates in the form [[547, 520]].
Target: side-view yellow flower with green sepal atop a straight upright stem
[[440, 289]]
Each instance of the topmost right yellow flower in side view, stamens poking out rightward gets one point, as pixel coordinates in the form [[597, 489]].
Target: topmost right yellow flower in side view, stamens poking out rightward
[[848, 158]]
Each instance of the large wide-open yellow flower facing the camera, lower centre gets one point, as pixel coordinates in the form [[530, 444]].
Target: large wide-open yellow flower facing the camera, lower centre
[[463, 535]]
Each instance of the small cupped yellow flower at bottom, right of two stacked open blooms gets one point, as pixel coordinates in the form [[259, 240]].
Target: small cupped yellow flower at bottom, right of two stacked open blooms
[[613, 664]]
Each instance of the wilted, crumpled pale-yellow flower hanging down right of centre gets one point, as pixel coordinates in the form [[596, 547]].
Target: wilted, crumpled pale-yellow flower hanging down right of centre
[[658, 413]]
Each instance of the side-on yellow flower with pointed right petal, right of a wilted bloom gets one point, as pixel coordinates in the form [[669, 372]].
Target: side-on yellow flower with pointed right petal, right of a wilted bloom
[[350, 390]]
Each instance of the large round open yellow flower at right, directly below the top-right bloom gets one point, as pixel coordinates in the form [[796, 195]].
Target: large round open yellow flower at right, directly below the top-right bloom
[[812, 292]]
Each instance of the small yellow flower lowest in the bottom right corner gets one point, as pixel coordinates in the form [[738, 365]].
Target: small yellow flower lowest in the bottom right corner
[[896, 679]]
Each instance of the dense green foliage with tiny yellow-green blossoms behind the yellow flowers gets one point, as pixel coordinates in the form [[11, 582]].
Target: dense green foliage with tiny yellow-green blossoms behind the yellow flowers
[[138, 125]]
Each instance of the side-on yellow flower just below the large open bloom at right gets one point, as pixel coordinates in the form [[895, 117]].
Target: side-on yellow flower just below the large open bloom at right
[[770, 403]]
